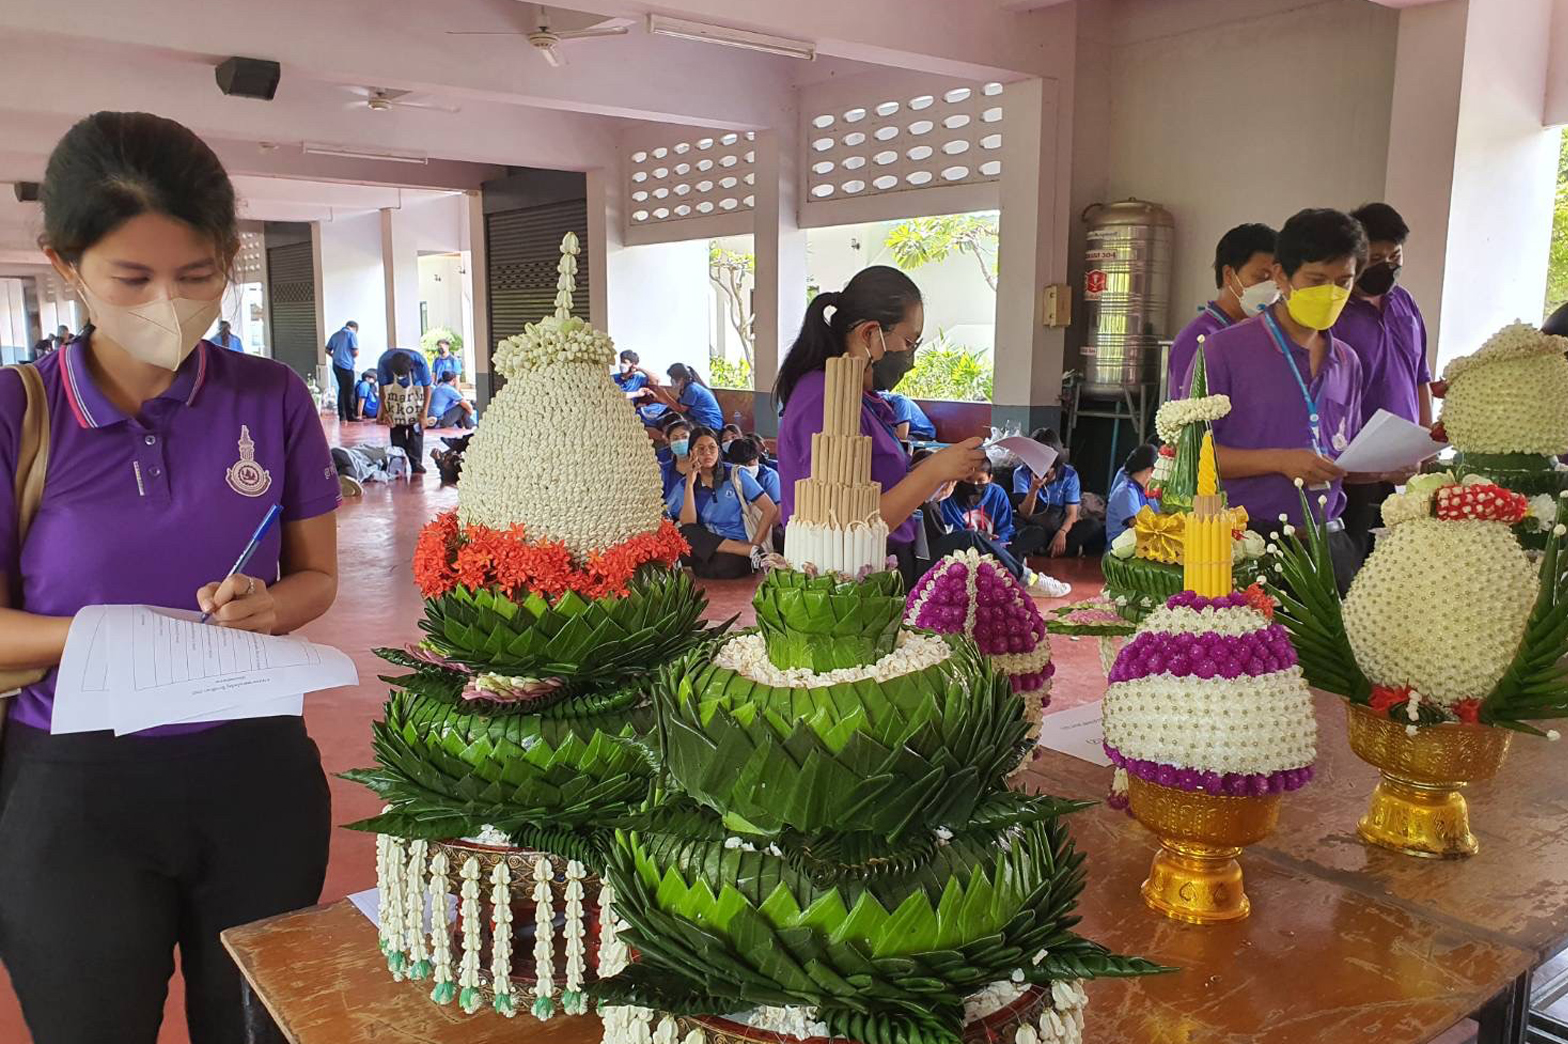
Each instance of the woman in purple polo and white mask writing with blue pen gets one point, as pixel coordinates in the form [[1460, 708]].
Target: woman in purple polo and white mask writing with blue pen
[[165, 454]]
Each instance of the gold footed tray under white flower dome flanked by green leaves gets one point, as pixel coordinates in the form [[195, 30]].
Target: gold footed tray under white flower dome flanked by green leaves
[[1418, 808]]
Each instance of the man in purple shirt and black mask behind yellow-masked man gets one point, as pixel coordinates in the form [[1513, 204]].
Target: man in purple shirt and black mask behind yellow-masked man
[[1385, 330]]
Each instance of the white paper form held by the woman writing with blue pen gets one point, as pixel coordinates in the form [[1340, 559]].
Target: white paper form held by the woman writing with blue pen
[[131, 669]]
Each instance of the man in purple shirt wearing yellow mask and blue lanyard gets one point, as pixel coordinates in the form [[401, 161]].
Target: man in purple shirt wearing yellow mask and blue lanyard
[[1296, 391]]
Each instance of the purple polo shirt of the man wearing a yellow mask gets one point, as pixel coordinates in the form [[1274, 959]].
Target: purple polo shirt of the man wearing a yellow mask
[[1269, 413]]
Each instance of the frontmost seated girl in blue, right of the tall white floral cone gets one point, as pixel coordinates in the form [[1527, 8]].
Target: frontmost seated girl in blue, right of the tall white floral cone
[[724, 513]]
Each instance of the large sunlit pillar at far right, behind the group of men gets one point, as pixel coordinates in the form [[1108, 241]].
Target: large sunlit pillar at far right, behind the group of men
[[1473, 167]]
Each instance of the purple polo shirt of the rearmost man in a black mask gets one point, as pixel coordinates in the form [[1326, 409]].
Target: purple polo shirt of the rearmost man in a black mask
[[1392, 343]]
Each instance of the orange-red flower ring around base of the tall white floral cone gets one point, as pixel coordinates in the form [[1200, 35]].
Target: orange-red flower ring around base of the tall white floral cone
[[451, 556]]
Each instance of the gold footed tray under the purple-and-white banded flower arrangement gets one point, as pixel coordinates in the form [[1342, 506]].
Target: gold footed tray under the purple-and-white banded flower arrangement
[[1196, 877]]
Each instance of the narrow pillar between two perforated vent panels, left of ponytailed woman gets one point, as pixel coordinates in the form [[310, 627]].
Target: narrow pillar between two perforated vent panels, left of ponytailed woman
[[780, 244]]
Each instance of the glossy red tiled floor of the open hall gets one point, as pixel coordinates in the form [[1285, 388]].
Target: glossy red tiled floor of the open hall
[[379, 606]]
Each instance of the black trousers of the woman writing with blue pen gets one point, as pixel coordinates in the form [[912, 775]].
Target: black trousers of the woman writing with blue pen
[[117, 850]]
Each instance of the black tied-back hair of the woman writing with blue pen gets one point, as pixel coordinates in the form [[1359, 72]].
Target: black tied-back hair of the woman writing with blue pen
[[115, 167]]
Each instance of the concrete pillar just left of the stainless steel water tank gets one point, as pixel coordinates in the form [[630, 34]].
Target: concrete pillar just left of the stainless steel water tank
[[1033, 255]]
